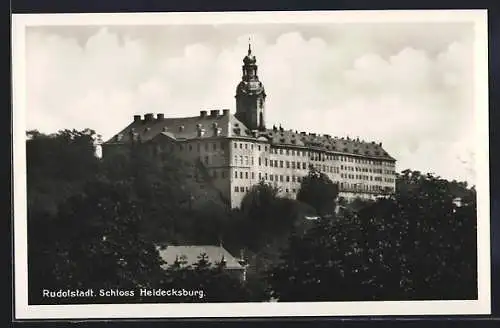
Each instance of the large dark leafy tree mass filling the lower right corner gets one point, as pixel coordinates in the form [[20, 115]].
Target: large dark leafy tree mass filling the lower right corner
[[417, 245]]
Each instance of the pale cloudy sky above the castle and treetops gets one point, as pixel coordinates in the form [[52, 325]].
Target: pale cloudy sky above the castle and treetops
[[407, 85]]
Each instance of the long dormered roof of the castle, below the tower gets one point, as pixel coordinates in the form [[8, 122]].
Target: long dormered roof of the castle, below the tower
[[228, 125]]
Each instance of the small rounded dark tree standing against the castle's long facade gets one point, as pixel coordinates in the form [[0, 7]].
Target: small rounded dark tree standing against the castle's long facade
[[319, 191]]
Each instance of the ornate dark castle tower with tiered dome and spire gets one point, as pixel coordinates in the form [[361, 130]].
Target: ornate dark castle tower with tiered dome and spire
[[250, 95]]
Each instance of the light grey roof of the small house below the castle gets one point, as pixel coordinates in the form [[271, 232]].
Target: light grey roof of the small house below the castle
[[191, 255]]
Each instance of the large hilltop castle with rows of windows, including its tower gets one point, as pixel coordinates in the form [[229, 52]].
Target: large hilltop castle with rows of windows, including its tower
[[237, 151]]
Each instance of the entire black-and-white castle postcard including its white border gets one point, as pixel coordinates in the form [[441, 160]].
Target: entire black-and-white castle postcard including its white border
[[251, 164]]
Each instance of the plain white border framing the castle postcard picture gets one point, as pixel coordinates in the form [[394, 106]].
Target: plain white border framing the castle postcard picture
[[25, 311]]
